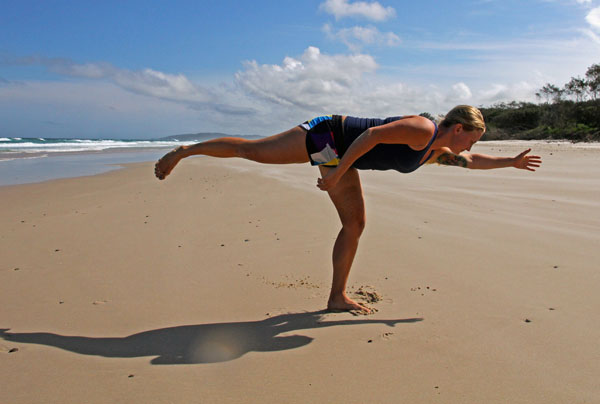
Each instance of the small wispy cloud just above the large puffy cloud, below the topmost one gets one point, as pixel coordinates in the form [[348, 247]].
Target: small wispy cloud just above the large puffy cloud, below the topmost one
[[354, 38]]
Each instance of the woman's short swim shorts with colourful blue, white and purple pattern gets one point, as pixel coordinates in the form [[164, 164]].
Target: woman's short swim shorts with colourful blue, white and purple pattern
[[321, 140]]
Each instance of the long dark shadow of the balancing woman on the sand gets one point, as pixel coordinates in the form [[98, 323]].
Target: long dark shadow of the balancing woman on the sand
[[203, 343]]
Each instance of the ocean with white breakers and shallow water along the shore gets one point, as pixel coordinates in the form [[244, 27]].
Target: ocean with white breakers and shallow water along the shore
[[29, 160]]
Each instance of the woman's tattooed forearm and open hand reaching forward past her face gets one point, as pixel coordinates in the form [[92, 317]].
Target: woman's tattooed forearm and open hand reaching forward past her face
[[485, 162]]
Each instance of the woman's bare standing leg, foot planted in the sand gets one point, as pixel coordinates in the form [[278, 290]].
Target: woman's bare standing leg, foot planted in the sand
[[348, 199]]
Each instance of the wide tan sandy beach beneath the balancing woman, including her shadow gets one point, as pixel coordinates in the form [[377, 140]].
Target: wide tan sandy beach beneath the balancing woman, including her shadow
[[209, 287]]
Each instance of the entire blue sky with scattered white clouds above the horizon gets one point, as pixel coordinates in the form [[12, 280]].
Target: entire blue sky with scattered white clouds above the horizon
[[133, 69]]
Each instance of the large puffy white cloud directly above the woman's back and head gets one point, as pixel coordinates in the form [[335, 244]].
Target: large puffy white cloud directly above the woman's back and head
[[317, 83]]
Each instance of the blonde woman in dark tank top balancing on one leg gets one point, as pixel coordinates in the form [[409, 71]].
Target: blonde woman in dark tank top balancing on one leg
[[342, 145]]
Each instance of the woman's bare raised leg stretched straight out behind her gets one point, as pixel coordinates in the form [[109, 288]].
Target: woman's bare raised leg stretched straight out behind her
[[285, 148]]
